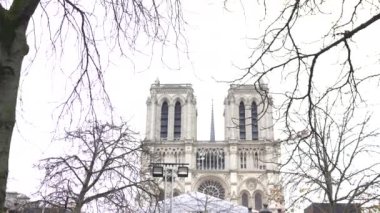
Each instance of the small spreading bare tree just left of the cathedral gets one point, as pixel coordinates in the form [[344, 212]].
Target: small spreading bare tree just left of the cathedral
[[100, 172]]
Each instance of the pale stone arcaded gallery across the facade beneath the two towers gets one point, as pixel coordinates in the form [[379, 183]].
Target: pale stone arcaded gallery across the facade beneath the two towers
[[213, 156]]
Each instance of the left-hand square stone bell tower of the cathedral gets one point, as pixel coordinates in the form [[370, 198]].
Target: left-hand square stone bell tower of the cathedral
[[171, 113]]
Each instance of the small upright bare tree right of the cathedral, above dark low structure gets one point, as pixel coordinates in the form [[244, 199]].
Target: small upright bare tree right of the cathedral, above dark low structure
[[331, 164]]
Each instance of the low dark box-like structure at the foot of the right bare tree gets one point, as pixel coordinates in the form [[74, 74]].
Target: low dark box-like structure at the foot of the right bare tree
[[326, 208]]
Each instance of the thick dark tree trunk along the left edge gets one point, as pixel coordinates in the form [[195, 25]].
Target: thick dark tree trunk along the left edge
[[13, 48]]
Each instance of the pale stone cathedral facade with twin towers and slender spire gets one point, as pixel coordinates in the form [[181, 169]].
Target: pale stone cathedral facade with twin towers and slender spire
[[242, 168]]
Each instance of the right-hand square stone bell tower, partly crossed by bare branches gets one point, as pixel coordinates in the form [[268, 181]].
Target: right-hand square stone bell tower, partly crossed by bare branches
[[248, 114]]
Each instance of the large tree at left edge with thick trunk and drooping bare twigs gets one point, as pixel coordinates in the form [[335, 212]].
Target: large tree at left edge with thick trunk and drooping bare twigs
[[123, 22]]
